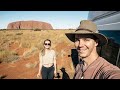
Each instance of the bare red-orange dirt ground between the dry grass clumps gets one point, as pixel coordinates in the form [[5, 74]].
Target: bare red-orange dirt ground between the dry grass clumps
[[18, 69]]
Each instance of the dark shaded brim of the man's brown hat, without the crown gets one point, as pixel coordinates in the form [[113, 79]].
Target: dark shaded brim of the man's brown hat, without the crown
[[102, 39]]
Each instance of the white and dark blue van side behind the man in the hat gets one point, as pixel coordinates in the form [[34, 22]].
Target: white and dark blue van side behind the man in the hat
[[108, 23]]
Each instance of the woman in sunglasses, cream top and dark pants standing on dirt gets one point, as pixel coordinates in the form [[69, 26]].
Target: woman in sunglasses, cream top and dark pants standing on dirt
[[47, 57]]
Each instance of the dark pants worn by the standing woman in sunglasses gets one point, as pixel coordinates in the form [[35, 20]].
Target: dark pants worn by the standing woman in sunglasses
[[47, 72]]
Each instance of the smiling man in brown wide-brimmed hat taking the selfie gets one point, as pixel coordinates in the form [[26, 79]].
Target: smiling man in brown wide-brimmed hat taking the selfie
[[91, 66]]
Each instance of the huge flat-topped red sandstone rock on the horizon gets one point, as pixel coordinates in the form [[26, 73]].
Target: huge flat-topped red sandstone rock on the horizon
[[29, 25]]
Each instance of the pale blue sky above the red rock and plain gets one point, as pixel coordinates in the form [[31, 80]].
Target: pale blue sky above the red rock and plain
[[58, 19]]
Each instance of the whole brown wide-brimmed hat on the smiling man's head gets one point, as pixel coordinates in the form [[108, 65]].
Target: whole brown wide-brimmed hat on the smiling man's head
[[87, 27]]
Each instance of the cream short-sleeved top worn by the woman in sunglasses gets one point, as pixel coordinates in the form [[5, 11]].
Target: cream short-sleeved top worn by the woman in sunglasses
[[48, 58]]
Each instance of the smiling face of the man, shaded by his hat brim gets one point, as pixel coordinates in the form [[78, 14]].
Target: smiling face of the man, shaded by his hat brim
[[85, 45]]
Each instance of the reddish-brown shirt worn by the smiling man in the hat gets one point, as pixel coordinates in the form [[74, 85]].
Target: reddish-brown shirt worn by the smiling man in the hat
[[99, 69]]
